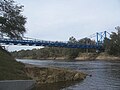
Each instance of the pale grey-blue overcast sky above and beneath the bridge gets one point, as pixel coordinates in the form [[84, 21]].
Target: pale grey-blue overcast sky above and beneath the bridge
[[60, 19]]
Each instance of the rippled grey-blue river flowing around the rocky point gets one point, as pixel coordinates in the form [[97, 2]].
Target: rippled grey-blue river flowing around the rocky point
[[105, 74]]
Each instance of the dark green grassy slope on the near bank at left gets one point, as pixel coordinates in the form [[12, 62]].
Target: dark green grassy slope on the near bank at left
[[10, 69]]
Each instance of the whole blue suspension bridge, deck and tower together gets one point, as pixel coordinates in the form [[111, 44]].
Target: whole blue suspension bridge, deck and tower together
[[98, 45]]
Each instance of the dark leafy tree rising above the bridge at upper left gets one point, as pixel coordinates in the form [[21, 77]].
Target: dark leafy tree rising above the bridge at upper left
[[12, 22]]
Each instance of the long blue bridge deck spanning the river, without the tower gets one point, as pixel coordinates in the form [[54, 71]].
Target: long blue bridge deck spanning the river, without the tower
[[47, 43]]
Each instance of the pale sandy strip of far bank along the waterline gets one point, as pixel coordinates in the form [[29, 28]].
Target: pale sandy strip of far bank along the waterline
[[83, 56]]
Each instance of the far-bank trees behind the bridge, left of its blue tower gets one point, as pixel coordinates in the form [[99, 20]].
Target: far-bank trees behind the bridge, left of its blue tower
[[53, 52]]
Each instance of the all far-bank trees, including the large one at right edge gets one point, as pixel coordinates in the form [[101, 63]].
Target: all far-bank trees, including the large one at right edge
[[111, 46]]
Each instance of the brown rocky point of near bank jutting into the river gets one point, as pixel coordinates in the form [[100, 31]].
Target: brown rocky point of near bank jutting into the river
[[45, 75]]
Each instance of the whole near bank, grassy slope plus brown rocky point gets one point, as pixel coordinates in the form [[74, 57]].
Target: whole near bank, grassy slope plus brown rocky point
[[12, 70]]
